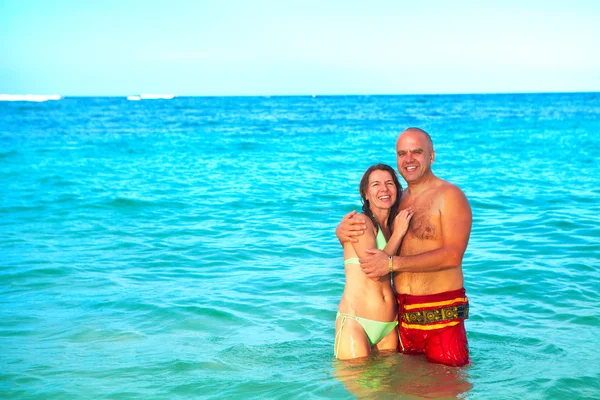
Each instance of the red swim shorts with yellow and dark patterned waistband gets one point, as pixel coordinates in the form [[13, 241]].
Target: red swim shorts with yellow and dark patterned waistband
[[434, 325]]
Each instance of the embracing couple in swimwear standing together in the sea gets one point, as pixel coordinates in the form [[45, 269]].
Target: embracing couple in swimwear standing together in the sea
[[403, 261]]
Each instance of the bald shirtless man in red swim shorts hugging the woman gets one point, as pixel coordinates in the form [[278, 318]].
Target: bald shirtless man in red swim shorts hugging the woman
[[427, 272]]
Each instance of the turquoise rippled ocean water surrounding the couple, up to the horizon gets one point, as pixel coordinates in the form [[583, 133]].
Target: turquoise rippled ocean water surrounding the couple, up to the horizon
[[185, 248]]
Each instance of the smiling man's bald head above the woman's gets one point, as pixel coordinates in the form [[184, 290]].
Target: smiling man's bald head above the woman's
[[414, 155]]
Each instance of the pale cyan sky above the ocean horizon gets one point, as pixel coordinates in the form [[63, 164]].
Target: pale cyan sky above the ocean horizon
[[227, 47]]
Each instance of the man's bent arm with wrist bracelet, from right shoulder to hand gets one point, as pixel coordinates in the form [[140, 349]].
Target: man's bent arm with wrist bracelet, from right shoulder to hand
[[456, 221]]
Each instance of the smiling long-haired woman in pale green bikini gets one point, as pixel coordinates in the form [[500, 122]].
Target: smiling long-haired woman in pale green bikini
[[367, 315]]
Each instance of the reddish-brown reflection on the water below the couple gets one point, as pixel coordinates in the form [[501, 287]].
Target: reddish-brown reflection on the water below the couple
[[401, 376]]
